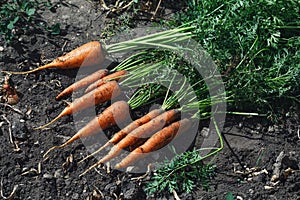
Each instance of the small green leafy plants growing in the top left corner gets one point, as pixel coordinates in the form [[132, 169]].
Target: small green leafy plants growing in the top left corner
[[19, 16]]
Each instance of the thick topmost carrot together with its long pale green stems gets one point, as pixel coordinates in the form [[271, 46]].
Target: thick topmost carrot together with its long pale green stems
[[93, 53]]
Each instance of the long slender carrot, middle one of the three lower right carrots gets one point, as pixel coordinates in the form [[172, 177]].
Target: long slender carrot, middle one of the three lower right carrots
[[141, 132]]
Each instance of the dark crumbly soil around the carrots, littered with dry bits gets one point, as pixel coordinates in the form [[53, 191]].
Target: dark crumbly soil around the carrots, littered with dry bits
[[244, 167]]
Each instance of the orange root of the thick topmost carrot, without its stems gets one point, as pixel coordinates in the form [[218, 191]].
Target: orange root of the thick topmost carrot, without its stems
[[88, 54]]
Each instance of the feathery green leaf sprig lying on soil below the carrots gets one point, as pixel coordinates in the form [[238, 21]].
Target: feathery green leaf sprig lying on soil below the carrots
[[183, 173]]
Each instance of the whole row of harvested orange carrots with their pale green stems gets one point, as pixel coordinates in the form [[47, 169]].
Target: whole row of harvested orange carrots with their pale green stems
[[153, 130]]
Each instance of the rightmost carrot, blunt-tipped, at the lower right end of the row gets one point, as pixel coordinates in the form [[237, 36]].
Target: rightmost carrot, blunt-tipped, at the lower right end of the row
[[157, 141]]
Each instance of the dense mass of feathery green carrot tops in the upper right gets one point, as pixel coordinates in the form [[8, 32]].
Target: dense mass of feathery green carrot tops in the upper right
[[255, 45]]
